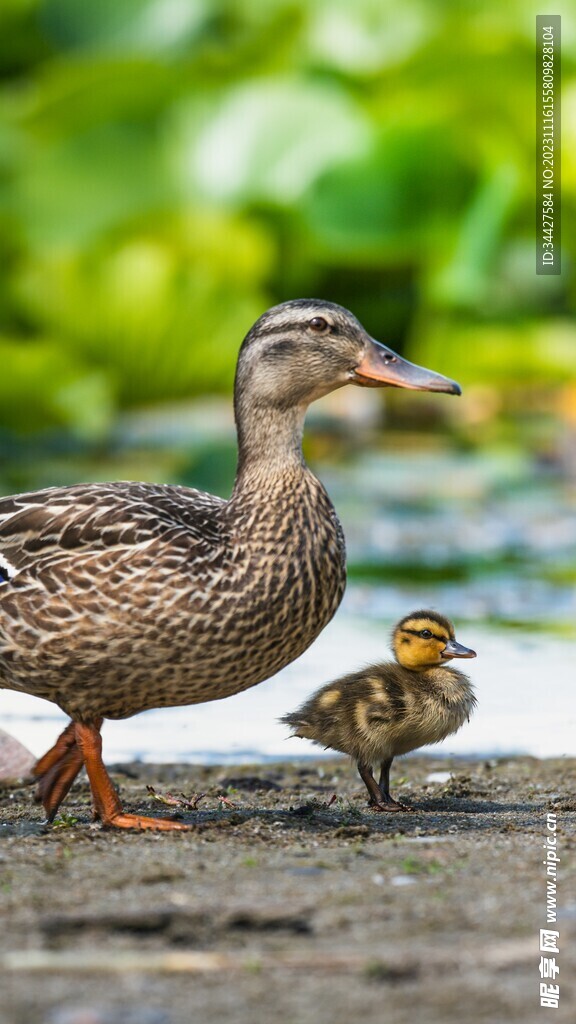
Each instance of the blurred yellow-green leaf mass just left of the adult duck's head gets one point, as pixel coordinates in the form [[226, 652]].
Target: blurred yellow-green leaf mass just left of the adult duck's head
[[163, 312]]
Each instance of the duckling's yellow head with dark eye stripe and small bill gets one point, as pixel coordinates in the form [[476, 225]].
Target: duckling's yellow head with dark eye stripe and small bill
[[426, 639]]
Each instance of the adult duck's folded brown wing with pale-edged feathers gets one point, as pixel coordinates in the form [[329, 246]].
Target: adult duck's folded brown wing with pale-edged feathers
[[44, 527]]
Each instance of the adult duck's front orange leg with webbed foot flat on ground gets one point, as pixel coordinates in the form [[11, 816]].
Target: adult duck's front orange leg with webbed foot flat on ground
[[107, 802]]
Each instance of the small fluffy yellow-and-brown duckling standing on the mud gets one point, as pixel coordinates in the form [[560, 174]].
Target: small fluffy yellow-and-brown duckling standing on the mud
[[390, 709]]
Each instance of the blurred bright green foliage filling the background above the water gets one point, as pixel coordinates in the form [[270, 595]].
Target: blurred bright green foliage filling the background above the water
[[171, 168]]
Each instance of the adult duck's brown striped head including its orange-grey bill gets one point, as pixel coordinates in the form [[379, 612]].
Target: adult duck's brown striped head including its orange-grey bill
[[303, 350]]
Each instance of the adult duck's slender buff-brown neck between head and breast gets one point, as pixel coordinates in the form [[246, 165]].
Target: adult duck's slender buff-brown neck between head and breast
[[270, 447]]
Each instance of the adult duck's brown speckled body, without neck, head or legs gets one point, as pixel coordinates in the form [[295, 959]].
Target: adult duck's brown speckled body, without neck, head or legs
[[144, 632]]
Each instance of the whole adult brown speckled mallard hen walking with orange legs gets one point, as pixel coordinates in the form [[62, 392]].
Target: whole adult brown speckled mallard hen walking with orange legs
[[120, 598]]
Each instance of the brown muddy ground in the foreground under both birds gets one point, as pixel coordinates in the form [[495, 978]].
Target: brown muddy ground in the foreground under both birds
[[289, 904]]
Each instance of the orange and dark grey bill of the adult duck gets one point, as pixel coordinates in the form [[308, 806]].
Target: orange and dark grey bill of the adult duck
[[381, 367]]
